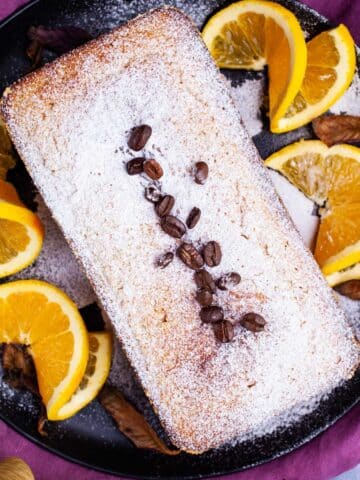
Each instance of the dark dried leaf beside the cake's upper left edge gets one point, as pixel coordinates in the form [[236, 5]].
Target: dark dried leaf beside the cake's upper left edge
[[58, 40]]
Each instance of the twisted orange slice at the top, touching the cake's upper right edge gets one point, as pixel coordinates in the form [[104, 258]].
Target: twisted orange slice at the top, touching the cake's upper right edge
[[251, 34]]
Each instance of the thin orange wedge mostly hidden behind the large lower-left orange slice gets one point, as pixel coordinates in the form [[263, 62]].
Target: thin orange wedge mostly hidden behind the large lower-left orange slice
[[96, 373]]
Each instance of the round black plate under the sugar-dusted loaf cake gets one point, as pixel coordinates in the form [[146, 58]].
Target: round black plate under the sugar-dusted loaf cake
[[90, 438]]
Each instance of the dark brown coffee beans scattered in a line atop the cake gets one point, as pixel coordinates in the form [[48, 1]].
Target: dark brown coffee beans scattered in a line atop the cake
[[211, 254]]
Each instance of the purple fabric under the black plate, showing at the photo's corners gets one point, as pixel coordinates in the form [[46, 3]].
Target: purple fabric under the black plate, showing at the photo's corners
[[333, 452]]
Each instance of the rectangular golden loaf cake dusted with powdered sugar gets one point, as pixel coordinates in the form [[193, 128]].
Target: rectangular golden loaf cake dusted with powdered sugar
[[71, 122]]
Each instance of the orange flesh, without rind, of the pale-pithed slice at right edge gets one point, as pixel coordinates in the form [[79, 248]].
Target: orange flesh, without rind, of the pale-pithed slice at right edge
[[333, 183]]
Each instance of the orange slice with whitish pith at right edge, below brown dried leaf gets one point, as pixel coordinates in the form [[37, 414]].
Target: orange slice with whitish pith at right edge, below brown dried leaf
[[331, 178]]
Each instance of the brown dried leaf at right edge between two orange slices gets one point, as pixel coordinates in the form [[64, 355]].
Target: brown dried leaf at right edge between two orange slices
[[332, 129]]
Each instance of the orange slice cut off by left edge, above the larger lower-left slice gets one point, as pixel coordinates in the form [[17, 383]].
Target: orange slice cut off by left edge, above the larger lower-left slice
[[21, 232]]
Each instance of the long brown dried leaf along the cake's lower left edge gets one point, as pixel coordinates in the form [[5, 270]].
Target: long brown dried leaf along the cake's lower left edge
[[131, 423]]
